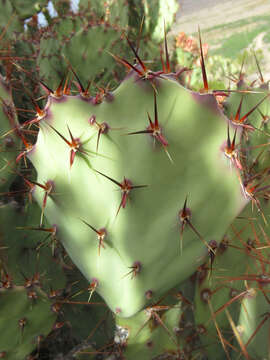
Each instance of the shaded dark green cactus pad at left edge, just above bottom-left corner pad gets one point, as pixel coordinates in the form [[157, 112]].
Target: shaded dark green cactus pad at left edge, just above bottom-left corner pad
[[28, 250]]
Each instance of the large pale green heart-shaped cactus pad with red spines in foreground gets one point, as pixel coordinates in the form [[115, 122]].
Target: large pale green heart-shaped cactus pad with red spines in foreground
[[136, 185]]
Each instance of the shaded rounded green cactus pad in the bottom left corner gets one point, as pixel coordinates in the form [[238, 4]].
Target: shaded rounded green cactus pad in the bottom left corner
[[23, 320]]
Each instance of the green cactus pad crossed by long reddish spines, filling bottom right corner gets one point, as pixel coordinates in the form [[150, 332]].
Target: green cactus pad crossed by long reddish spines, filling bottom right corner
[[232, 288]]
